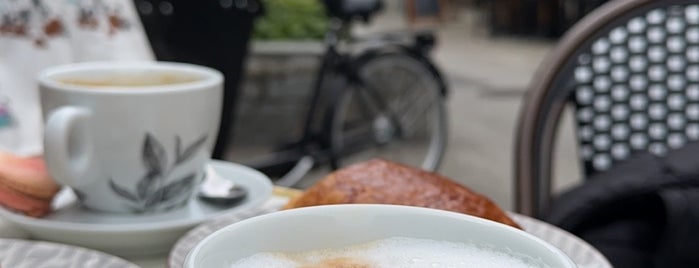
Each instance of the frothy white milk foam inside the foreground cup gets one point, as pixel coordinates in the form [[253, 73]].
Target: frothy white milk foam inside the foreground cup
[[394, 252]]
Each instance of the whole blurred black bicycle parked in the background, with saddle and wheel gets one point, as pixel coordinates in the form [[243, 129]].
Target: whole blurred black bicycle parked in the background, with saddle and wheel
[[355, 113]]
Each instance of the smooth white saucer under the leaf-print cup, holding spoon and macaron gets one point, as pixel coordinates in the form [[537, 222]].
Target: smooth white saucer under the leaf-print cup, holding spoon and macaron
[[133, 235]]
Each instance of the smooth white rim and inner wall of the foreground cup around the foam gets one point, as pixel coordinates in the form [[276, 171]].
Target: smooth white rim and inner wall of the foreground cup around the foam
[[336, 226]]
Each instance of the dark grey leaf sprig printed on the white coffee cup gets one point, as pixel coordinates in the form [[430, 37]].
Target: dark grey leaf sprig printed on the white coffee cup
[[152, 193]]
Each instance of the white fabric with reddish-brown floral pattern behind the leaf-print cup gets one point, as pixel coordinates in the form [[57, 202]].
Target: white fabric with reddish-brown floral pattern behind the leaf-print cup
[[35, 34]]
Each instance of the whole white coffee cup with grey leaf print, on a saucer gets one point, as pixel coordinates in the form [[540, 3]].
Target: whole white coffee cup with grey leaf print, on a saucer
[[130, 137]]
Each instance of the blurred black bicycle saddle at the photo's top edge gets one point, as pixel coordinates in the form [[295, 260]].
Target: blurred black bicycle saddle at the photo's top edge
[[353, 9]]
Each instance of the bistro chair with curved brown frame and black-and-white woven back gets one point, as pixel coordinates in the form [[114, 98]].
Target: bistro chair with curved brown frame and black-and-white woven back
[[630, 73]]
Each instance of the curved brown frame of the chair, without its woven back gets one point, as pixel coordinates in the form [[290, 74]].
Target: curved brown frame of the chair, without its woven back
[[551, 91]]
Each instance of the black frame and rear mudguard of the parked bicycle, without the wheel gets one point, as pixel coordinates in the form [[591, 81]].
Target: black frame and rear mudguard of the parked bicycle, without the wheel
[[335, 71]]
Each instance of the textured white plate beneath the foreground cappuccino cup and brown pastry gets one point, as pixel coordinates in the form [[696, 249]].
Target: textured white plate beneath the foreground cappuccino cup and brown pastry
[[582, 253]]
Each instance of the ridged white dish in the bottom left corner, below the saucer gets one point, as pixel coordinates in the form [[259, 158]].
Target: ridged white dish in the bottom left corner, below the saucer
[[18, 253]]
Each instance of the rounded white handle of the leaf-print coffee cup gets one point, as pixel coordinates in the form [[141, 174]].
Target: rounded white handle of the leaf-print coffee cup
[[68, 148]]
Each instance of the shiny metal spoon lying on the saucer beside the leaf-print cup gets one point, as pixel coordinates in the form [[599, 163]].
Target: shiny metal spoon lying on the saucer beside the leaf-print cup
[[219, 191]]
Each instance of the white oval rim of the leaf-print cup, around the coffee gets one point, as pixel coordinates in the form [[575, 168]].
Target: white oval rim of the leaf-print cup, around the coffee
[[207, 77]]
